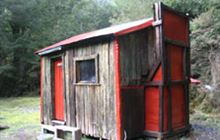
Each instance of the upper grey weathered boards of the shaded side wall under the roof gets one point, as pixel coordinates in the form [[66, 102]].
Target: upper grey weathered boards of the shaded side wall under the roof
[[138, 55]]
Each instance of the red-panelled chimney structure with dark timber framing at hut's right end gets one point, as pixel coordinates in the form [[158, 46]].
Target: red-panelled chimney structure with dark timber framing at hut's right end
[[173, 78]]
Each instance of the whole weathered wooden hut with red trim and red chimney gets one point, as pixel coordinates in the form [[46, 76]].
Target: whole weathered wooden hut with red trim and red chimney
[[125, 81]]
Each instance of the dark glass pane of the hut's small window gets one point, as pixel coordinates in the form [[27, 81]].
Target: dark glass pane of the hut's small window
[[86, 71]]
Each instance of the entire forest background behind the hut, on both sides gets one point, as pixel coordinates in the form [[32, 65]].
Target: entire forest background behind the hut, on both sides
[[28, 25]]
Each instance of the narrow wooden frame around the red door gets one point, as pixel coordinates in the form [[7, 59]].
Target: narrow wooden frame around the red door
[[52, 58]]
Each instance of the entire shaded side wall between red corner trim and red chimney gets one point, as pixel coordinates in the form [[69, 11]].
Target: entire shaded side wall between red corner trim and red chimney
[[138, 55]]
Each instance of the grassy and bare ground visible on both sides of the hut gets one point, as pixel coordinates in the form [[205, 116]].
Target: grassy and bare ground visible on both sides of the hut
[[22, 116]]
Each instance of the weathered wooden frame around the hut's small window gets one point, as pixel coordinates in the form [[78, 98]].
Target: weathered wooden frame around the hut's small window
[[94, 57]]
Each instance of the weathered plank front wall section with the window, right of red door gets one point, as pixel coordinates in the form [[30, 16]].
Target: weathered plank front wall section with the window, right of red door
[[94, 104]]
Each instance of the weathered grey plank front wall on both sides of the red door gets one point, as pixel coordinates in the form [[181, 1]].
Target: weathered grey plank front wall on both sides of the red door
[[91, 107]]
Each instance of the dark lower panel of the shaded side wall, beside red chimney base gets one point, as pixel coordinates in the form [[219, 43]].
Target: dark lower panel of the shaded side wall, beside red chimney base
[[133, 111]]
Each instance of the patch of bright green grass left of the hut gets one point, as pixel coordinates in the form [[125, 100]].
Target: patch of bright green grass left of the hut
[[22, 116]]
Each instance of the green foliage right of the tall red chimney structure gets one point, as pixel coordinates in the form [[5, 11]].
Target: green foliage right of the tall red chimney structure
[[205, 49]]
